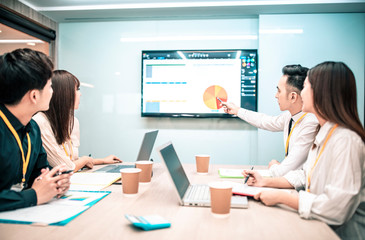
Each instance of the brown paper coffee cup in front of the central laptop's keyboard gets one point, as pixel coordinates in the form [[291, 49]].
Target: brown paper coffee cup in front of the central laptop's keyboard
[[220, 198]]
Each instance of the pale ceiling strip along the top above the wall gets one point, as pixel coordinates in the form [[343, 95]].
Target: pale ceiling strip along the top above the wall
[[126, 10]]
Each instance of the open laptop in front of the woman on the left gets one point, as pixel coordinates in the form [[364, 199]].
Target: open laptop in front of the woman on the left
[[143, 154]]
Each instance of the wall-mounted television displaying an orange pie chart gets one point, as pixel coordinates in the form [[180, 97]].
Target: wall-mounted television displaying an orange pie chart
[[188, 83]]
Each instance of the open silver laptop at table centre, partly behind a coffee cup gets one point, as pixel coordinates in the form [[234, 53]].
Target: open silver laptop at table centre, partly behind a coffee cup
[[190, 195]]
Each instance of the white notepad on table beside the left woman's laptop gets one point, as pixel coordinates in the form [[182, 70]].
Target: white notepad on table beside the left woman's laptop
[[93, 181]]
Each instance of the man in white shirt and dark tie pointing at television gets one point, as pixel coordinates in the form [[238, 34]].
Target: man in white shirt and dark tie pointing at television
[[299, 128]]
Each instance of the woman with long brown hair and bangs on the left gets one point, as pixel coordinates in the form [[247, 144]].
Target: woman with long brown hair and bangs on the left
[[60, 129]]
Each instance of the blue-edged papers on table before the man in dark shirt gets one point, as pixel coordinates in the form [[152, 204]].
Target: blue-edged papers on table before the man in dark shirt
[[57, 212]]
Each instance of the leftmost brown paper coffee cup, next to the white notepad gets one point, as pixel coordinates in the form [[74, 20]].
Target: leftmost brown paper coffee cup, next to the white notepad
[[130, 180]]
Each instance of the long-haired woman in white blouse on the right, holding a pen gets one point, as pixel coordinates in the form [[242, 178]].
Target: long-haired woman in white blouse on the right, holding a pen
[[332, 183]]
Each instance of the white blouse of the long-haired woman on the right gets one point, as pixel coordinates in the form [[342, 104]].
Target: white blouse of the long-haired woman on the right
[[337, 182]]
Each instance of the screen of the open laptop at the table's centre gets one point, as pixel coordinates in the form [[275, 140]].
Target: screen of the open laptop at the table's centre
[[175, 168]]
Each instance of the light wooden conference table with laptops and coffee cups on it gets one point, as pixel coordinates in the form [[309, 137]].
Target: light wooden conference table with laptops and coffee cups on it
[[105, 219]]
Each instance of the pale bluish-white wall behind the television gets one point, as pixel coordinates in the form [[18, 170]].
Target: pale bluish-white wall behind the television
[[109, 114]]
